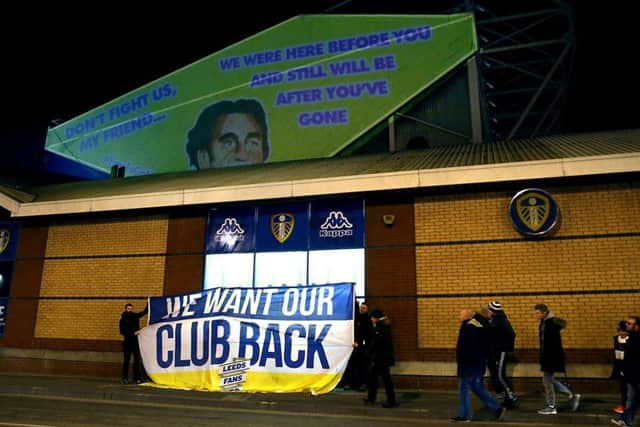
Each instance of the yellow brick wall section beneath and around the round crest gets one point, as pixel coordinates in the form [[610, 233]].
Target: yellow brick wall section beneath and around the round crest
[[467, 253]]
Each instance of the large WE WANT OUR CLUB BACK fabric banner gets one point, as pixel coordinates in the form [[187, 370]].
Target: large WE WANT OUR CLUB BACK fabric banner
[[276, 339]]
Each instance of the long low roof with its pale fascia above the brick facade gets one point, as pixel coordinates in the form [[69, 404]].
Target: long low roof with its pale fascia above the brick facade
[[550, 157]]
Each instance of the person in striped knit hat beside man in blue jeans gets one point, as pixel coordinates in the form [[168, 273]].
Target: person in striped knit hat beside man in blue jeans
[[503, 342]]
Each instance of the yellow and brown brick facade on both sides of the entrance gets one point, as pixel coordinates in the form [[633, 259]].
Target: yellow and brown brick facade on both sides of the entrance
[[442, 253]]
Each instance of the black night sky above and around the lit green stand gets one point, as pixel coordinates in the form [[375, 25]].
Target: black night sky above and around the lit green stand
[[61, 61]]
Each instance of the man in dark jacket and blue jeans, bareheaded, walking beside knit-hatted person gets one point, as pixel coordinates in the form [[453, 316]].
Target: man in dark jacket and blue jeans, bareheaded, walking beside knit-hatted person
[[471, 356]]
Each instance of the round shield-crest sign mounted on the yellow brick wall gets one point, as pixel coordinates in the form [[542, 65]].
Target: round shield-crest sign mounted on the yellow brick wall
[[533, 212]]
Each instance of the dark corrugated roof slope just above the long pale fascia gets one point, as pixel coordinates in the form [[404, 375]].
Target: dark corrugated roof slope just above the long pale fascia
[[548, 148]]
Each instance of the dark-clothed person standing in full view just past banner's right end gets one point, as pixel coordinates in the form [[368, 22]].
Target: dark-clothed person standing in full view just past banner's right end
[[381, 358]]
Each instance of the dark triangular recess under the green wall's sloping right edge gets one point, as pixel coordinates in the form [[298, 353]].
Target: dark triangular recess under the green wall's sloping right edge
[[447, 106]]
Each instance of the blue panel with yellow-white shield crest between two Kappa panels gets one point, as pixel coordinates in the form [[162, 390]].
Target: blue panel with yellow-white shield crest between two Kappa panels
[[283, 228]]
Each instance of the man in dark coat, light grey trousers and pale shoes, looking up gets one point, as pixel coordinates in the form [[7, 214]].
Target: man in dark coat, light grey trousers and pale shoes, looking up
[[552, 360]]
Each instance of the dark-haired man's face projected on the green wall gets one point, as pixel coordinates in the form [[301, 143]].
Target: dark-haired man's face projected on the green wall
[[229, 133]]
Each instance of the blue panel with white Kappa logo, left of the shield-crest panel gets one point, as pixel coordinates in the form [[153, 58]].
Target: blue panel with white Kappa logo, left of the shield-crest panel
[[231, 230]]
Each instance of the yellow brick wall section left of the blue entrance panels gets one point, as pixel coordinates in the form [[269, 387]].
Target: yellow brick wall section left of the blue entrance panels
[[120, 257]]
